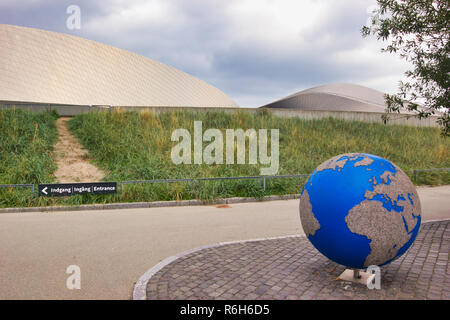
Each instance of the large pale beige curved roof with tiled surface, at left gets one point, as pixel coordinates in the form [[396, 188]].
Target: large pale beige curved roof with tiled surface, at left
[[49, 67]]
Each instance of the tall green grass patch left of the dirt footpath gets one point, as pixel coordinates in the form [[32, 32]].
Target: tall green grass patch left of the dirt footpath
[[25, 152]]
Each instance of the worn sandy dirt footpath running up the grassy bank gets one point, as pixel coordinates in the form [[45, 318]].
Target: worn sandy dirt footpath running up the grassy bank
[[71, 158]]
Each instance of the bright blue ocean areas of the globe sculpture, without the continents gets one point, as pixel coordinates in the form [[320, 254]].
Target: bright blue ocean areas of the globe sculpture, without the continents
[[334, 192]]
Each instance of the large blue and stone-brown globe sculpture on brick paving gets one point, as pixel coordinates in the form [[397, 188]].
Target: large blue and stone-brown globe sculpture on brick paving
[[360, 210]]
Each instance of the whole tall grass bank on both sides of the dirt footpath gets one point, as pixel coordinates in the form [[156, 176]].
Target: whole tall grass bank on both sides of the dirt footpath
[[137, 146]]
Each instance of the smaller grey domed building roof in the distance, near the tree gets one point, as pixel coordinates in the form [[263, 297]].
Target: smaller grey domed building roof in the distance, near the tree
[[334, 97]]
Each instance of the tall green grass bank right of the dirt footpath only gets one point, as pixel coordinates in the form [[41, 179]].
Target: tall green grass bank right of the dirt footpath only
[[137, 146]]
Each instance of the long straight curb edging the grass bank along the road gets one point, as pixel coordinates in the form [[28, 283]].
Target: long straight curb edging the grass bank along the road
[[154, 204]]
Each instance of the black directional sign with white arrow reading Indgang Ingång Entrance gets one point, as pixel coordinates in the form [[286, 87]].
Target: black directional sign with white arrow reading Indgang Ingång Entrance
[[70, 189]]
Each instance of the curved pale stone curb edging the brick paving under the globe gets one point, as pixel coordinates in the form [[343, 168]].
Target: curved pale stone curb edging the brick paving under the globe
[[140, 288]]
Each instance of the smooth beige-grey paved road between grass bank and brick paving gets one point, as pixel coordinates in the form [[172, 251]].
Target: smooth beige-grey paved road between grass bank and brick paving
[[114, 248]]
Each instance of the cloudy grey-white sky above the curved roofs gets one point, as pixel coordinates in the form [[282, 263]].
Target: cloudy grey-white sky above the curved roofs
[[256, 51]]
